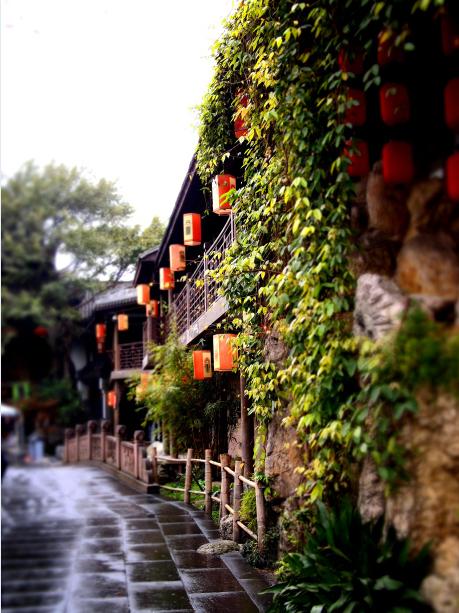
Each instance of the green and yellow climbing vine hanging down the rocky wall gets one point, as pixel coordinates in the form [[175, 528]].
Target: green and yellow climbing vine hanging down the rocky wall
[[288, 269]]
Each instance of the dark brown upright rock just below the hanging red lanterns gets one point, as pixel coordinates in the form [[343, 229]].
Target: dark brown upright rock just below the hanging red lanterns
[[387, 211]]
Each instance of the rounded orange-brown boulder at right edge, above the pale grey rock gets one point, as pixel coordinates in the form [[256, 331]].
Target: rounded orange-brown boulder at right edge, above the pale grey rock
[[427, 264]]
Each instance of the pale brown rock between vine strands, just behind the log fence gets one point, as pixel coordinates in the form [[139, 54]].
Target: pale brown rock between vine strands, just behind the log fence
[[282, 456]]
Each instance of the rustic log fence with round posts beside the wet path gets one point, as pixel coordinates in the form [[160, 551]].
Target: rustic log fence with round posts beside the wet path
[[225, 498]]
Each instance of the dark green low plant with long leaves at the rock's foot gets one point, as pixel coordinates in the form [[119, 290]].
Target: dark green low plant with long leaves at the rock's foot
[[347, 566]]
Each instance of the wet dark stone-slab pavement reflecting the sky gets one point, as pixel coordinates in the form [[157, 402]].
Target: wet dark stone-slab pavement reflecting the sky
[[75, 540]]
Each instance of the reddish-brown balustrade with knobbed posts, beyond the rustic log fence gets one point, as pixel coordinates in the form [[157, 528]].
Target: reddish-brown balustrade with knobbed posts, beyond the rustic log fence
[[86, 444]]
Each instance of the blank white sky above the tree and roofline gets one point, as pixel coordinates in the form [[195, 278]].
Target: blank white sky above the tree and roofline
[[110, 86]]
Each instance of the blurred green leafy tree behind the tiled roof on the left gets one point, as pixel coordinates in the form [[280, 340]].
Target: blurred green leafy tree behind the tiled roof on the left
[[62, 233]]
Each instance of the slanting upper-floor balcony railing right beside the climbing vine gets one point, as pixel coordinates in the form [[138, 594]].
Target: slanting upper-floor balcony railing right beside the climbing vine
[[200, 293]]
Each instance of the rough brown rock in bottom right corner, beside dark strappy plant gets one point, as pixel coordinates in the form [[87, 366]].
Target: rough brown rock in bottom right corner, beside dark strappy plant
[[427, 508]]
